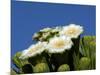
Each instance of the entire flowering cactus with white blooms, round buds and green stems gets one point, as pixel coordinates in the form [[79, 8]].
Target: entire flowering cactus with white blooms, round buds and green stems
[[58, 49]]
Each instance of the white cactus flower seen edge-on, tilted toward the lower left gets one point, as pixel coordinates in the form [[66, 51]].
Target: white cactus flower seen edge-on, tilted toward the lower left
[[33, 50]]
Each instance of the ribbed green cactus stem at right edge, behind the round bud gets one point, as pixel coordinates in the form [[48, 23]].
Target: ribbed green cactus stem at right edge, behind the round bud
[[88, 49]]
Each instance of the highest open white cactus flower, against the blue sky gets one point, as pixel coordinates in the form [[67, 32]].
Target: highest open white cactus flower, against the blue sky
[[72, 31]]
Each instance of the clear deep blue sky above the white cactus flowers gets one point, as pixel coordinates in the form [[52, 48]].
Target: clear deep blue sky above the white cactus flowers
[[30, 17]]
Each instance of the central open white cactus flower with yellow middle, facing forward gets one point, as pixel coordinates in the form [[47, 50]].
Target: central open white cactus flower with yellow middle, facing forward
[[59, 44]]
